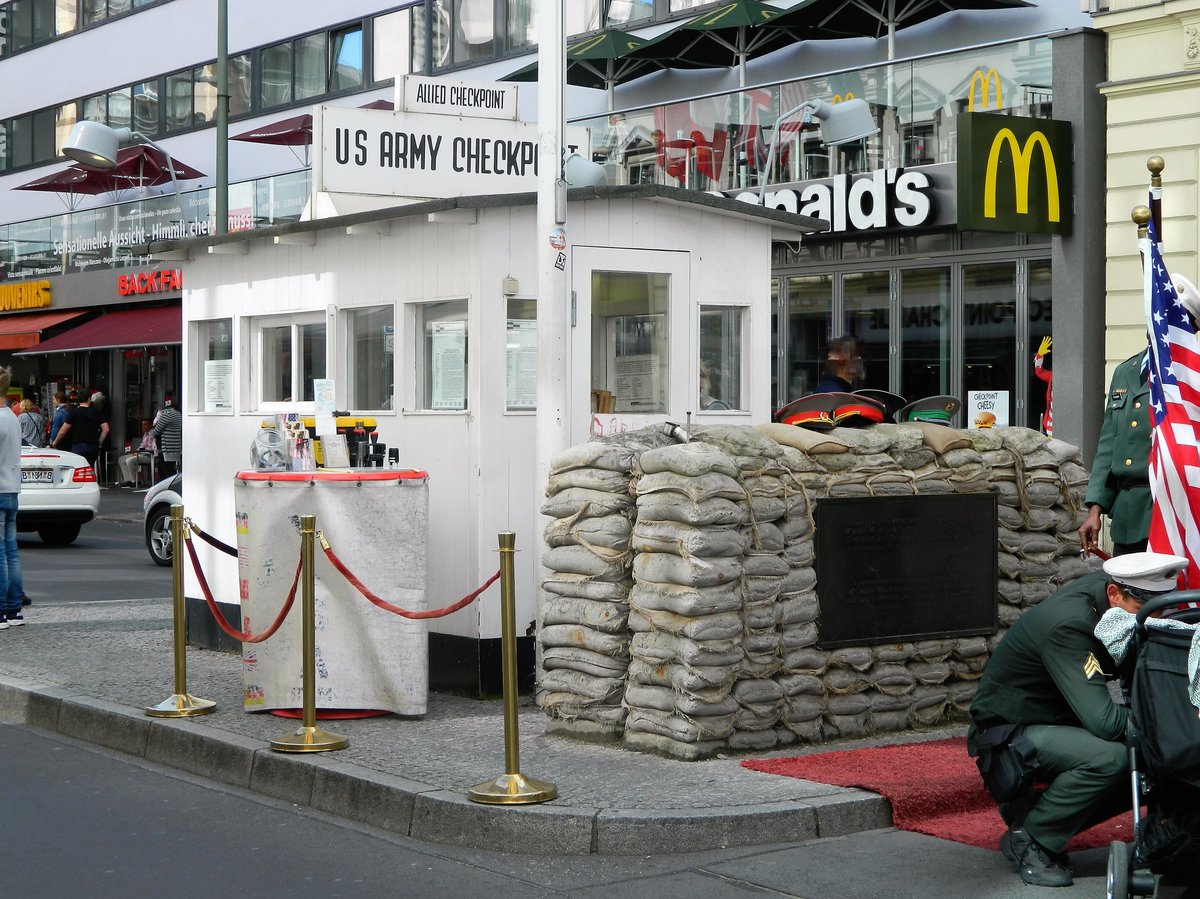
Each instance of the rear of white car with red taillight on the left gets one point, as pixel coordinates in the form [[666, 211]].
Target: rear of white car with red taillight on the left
[[58, 496]]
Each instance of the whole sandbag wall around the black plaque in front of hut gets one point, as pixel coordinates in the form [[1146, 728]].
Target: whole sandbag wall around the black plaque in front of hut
[[682, 616]]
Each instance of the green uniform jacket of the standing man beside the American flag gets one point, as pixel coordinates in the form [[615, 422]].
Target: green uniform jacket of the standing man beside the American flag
[[1120, 482]]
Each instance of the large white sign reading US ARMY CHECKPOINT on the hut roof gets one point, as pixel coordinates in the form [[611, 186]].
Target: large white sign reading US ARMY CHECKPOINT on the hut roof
[[377, 152]]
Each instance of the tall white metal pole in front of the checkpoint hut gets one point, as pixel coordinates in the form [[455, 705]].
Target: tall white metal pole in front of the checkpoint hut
[[554, 313]]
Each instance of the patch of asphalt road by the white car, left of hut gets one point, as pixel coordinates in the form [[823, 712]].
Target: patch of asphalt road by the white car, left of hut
[[109, 561]]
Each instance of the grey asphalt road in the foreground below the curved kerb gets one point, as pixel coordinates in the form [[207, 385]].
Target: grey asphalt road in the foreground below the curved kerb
[[85, 822]]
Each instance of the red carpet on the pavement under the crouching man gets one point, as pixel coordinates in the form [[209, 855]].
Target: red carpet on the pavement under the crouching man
[[934, 789]]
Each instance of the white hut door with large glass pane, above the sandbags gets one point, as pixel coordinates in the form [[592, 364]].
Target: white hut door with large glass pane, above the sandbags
[[631, 340]]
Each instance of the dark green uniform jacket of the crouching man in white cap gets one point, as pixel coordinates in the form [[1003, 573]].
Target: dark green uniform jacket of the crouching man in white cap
[[1051, 669]]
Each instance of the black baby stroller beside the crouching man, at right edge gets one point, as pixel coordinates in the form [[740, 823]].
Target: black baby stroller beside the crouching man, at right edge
[[1163, 734]]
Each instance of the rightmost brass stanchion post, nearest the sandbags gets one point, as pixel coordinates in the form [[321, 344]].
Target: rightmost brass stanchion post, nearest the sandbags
[[512, 788]]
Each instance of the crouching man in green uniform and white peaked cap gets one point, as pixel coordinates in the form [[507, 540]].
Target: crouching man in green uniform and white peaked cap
[[1045, 698]]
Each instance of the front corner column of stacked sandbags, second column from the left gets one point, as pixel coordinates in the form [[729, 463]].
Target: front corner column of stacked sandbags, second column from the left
[[687, 601]]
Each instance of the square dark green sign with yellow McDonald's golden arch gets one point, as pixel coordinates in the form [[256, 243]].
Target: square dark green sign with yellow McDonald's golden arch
[[1015, 175]]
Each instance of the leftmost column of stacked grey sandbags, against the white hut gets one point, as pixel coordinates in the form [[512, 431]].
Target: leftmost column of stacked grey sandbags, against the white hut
[[585, 616]]
